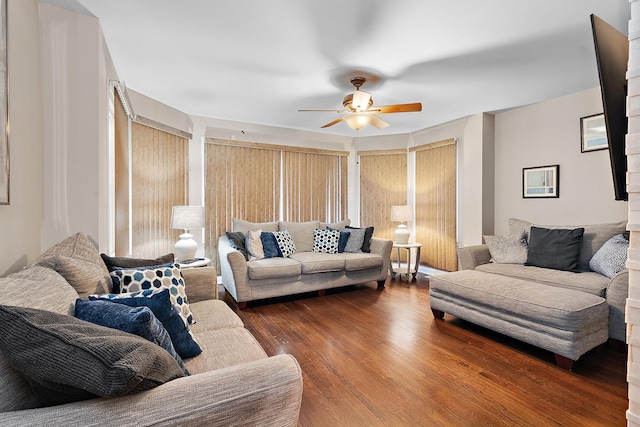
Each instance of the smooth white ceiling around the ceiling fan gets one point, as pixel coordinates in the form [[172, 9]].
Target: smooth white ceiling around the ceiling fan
[[259, 62]]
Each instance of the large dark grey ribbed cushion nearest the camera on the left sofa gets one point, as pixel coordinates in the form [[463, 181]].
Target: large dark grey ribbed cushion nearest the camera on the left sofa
[[66, 359]]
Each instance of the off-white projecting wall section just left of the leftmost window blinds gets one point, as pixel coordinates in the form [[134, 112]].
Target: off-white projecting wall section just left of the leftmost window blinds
[[76, 69]]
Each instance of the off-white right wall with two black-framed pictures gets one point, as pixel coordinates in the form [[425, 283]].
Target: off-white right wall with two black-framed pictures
[[548, 133]]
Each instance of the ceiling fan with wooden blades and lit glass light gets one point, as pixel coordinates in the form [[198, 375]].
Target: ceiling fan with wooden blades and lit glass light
[[359, 109]]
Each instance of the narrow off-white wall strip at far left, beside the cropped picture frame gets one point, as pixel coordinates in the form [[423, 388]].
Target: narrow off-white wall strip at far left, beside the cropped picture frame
[[20, 222]]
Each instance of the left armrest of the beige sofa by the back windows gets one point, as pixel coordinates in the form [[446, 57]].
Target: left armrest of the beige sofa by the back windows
[[233, 268]]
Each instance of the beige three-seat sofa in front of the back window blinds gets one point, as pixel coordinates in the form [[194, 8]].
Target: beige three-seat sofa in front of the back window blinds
[[302, 271]]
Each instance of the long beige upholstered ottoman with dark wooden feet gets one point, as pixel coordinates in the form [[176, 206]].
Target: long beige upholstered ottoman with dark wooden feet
[[564, 321]]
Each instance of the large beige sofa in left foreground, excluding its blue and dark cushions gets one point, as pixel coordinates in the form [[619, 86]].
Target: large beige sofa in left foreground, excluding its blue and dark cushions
[[233, 381]]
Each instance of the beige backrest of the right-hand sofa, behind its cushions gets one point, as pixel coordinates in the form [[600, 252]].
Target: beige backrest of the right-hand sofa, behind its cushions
[[594, 237]]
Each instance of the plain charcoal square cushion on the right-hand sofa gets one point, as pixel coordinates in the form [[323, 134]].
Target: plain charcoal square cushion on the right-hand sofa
[[557, 248]]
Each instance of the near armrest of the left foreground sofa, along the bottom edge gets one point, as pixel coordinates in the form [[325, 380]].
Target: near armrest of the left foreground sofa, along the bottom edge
[[263, 392]]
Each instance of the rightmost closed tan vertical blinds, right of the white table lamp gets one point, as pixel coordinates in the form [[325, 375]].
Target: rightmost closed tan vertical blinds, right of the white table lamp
[[436, 204]]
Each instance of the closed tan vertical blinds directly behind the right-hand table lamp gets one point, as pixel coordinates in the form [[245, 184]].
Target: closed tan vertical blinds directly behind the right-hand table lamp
[[383, 183]]
